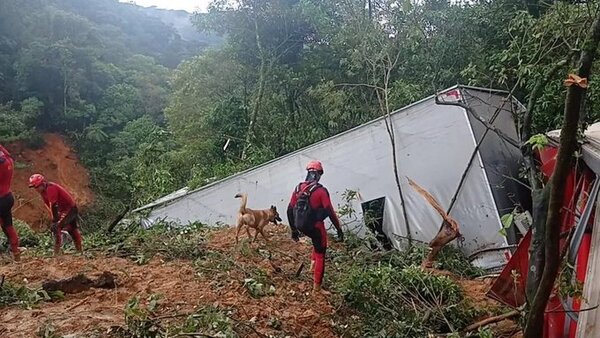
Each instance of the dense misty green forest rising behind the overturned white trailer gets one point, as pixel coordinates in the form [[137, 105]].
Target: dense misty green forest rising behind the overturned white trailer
[[150, 111]]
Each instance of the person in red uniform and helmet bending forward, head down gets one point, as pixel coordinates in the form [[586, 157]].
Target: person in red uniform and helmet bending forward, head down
[[63, 210]]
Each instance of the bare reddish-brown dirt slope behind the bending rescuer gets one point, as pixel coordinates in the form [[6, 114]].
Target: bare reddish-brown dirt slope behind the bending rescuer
[[57, 161]]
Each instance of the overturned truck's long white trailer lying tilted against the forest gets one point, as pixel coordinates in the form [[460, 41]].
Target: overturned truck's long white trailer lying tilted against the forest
[[460, 145]]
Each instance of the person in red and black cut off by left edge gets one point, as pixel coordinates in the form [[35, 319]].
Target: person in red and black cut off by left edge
[[7, 201]]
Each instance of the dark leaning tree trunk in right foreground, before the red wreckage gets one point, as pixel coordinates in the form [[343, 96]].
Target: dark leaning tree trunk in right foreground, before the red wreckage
[[568, 145]]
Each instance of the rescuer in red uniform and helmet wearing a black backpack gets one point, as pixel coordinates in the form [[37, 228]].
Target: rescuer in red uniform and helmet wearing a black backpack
[[320, 203]]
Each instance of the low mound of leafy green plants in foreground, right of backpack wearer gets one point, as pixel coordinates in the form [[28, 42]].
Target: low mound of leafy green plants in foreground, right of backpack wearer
[[392, 301]]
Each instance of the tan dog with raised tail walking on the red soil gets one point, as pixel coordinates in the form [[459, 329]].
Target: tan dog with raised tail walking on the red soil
[[256, 219]]
